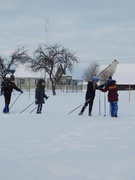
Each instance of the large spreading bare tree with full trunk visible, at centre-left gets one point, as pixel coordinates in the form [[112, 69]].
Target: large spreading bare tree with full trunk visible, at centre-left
[[54, 60]]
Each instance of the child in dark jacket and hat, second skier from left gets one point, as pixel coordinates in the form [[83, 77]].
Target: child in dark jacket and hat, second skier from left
[[40, 95]]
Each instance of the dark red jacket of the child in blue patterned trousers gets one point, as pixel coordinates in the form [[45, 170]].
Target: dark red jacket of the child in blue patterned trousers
[[112, 92]]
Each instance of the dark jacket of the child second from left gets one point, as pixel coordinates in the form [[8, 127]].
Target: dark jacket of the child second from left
[[40, 94]]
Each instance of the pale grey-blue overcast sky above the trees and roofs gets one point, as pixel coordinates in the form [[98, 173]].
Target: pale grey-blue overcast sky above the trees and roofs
[[99, 30]]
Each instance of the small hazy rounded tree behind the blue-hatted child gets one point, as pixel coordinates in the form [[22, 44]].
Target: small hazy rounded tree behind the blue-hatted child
[[91, 71]]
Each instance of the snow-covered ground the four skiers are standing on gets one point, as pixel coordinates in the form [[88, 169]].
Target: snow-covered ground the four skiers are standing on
[[57, 146]]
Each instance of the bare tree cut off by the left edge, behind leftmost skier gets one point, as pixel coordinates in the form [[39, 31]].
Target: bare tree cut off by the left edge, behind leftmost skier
[[20, 55]]
